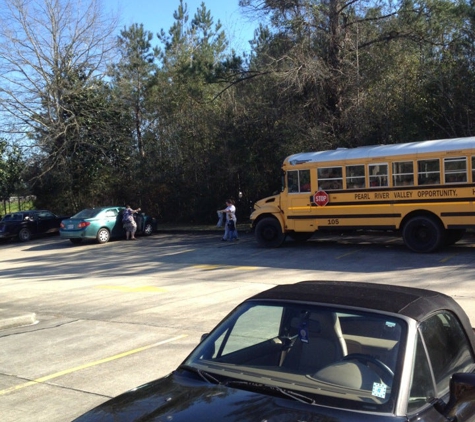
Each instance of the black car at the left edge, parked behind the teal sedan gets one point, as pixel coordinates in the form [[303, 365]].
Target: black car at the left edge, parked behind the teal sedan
[[25, 224]]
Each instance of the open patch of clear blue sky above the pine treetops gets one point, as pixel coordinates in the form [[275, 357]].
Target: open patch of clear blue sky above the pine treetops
[[158, 14]]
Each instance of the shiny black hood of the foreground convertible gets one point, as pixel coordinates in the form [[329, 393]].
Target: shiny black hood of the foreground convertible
[[182, 398]]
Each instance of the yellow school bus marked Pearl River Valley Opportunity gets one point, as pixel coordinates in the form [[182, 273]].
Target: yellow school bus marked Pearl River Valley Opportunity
[[423, 191]]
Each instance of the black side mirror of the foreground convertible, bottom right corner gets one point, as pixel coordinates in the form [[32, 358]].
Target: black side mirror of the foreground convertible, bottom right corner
[[462, 396]]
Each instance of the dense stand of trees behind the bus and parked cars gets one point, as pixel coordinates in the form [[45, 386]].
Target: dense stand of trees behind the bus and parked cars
[[177, 122]]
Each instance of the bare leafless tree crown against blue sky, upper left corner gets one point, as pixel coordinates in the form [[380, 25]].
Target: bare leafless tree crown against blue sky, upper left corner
[[41, 43]]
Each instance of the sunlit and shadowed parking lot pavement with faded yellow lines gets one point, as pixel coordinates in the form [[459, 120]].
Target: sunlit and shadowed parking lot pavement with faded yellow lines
[[110, 317]]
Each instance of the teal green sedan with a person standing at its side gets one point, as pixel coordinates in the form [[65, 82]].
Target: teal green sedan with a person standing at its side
[[103, 224]]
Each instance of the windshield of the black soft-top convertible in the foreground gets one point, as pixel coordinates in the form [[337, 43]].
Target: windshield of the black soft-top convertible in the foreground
[[334, 357]]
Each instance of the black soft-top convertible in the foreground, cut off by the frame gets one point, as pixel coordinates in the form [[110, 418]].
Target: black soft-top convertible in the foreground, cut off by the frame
[[320, 351]]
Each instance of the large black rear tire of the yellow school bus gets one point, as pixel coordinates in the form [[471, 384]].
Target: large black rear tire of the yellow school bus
[[423, 234]]
